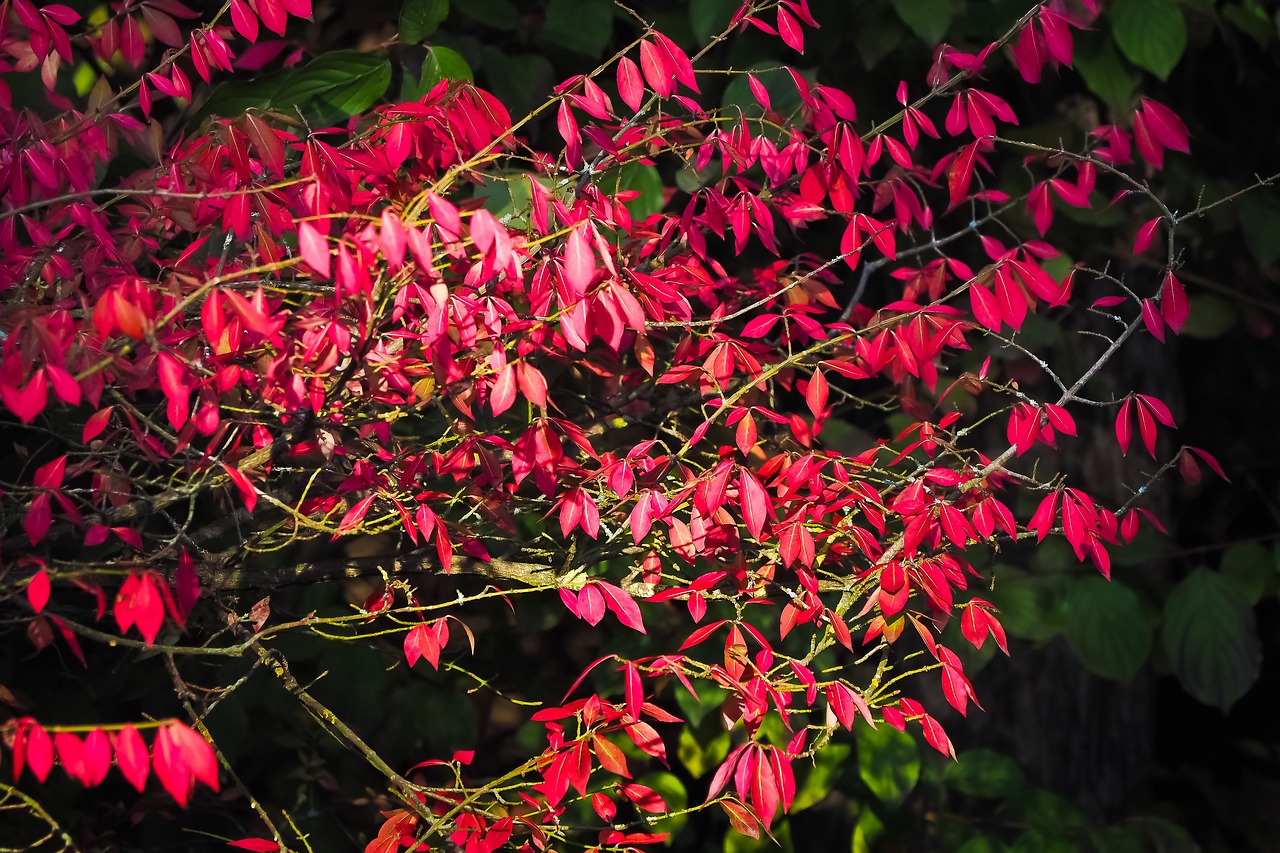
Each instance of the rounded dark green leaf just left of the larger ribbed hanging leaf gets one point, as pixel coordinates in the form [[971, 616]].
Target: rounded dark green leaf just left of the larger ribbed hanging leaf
[[1107, 628]]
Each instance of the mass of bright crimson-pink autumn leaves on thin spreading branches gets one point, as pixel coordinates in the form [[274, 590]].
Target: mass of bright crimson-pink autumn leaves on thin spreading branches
[[236, 345]]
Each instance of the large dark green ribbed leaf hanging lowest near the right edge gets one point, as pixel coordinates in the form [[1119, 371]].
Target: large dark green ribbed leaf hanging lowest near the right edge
[[1212, 637]]
